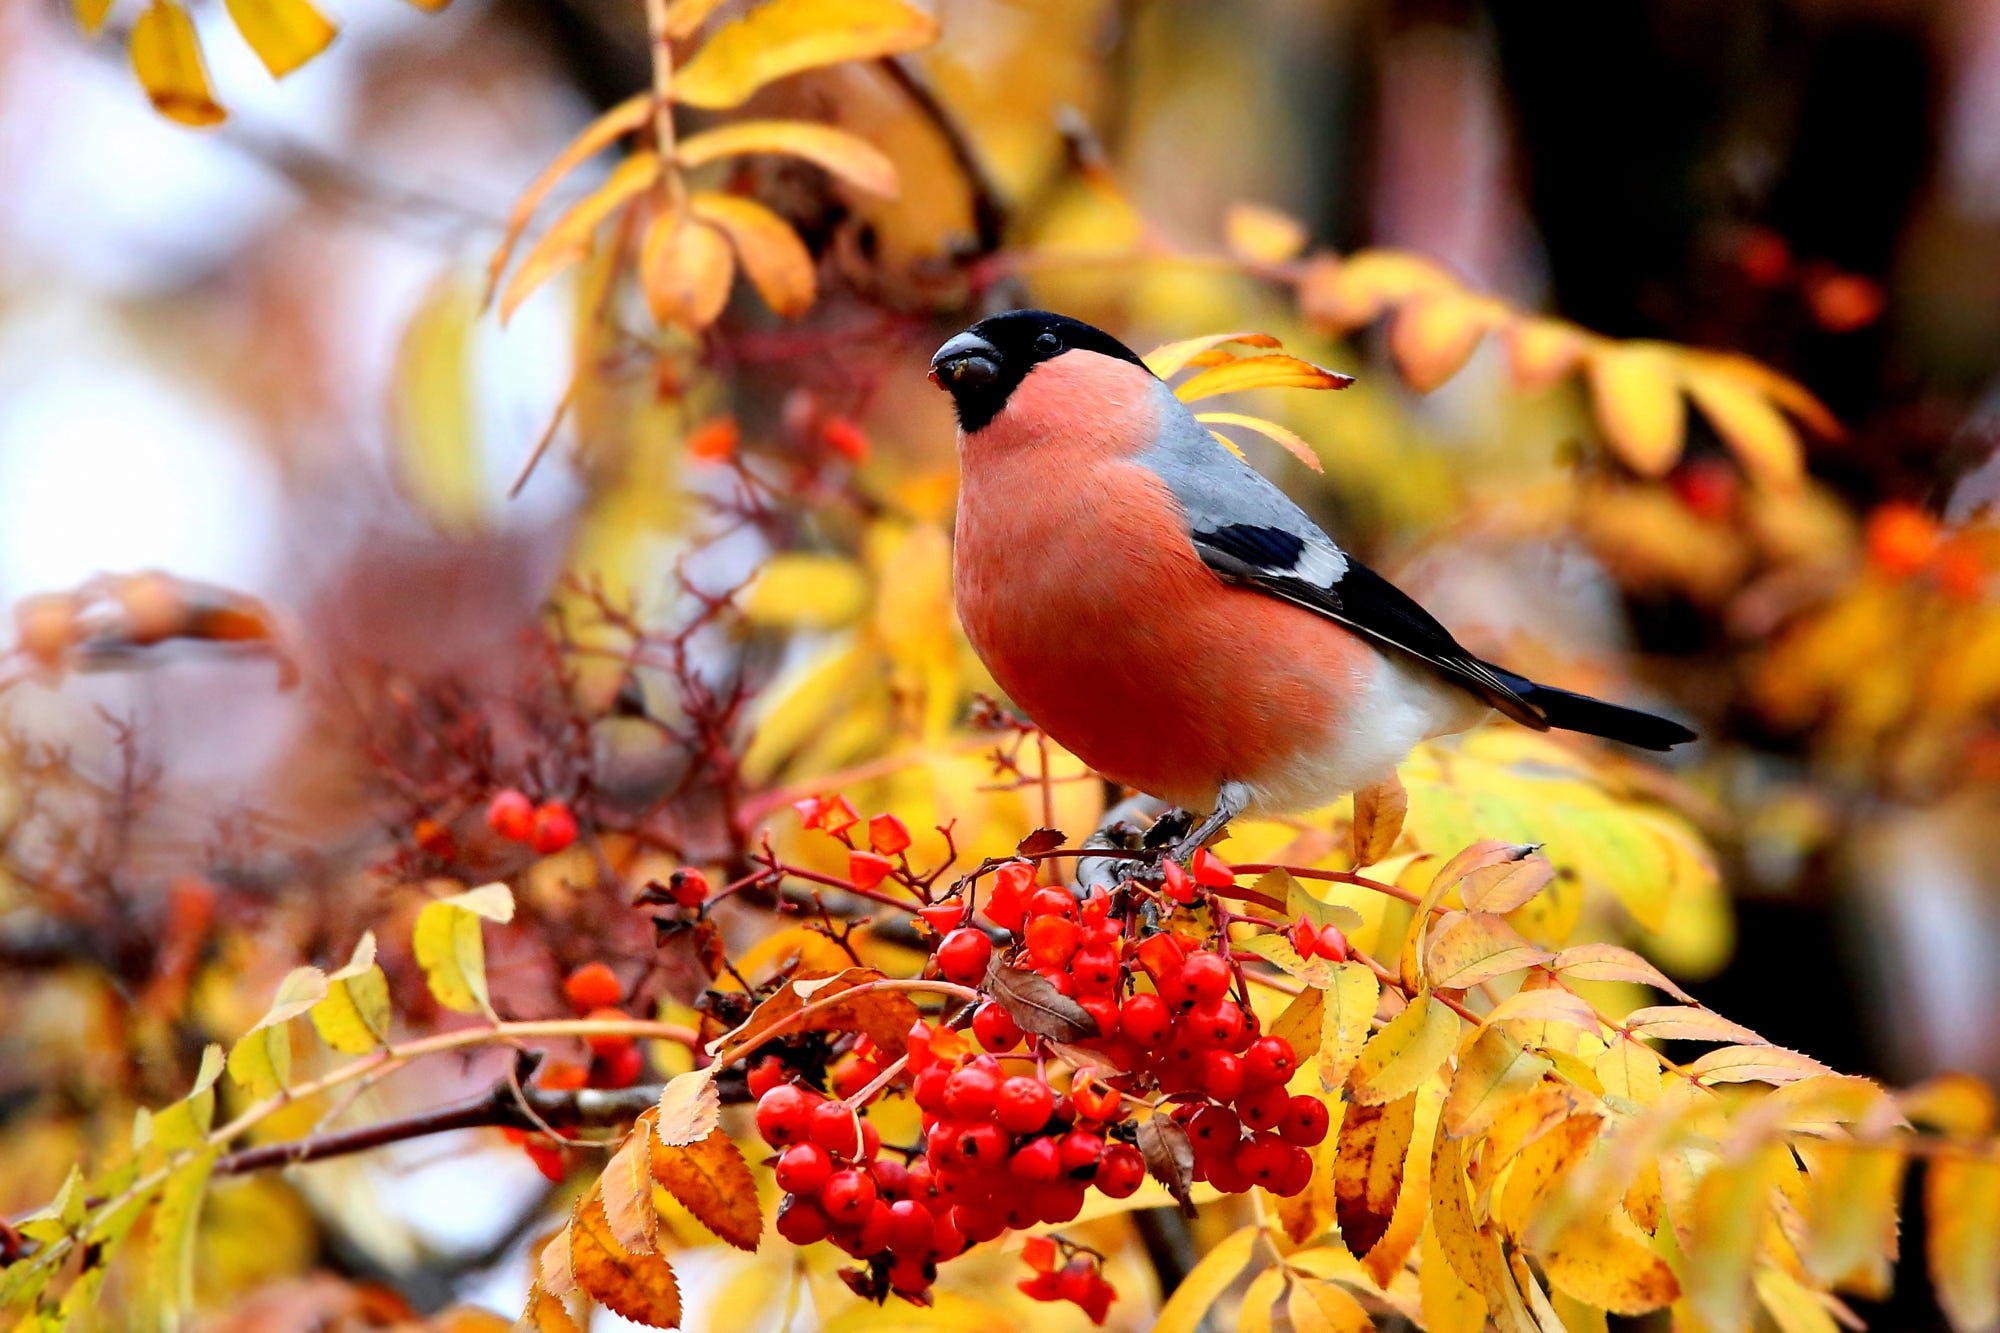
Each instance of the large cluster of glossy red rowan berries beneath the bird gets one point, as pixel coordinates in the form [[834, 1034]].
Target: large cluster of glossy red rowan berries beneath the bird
[[1171, 1038]]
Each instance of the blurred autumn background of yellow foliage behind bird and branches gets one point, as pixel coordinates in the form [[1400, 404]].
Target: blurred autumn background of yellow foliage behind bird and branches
[[1677, 333]]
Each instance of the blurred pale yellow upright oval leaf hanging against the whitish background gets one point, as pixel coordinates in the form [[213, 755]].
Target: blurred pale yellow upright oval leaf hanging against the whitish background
[[437, 455]]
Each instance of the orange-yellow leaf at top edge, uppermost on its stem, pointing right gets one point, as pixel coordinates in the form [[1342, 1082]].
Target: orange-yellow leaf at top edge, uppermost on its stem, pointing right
[[787, 37]]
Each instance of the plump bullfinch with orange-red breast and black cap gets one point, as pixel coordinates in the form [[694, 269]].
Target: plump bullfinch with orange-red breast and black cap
[[1167, 615]]
